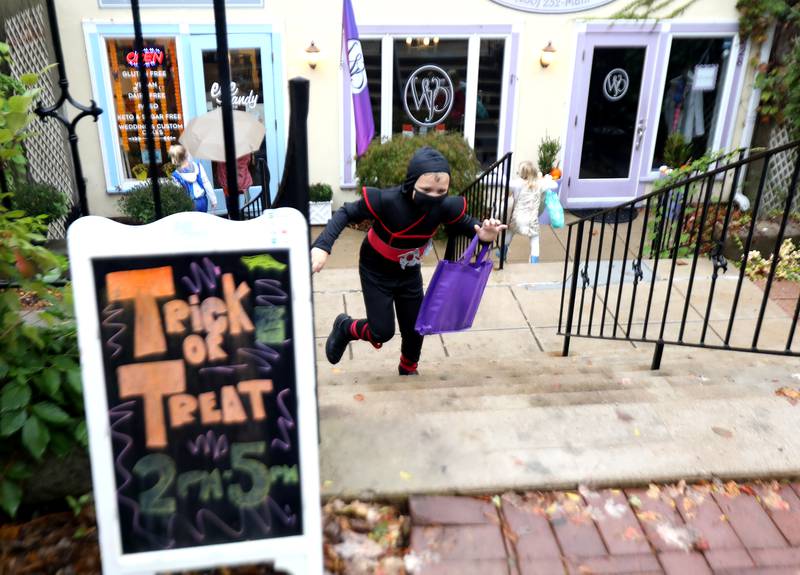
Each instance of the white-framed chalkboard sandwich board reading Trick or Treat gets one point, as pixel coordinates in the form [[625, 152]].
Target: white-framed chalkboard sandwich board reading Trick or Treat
[[197, 357]]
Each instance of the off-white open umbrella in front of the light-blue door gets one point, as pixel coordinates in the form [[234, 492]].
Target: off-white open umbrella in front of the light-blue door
[[203, 136]]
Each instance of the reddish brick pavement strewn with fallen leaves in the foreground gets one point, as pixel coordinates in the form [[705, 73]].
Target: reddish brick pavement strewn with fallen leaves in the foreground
[[724, 528]]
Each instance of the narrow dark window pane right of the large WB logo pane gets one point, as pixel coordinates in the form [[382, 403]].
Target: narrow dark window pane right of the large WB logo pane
[[490, 90]]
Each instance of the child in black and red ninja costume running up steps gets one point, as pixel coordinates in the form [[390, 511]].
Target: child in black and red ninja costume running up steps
[[405, 219]]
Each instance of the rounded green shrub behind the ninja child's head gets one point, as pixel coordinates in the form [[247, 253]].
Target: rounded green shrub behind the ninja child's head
[[384, 164]]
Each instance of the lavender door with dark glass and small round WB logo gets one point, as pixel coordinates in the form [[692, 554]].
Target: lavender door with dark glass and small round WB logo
[[609, 119]]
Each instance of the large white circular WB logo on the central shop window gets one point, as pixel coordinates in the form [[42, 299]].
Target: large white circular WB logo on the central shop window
[[428, 96]]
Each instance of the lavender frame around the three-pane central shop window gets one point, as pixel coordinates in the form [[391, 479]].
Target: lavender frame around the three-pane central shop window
[[348, 179]]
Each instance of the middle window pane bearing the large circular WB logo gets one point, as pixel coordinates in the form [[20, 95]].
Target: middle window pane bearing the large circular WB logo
[[430, 85]]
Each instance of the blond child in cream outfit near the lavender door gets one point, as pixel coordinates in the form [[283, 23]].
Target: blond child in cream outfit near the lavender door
[[523, 208]]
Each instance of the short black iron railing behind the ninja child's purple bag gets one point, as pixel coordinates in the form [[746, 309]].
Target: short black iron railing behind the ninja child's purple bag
[[486, 197]]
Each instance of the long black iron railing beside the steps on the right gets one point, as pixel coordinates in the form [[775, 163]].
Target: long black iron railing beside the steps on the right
[[657, 269]]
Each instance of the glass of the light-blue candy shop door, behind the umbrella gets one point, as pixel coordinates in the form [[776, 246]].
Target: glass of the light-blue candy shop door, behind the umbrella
[[247, 92]]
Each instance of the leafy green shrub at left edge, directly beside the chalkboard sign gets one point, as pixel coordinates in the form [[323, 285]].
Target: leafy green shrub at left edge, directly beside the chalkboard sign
[[41, 401]]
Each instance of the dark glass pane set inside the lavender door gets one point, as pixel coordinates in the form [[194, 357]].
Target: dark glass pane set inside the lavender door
[[612, 108]]
